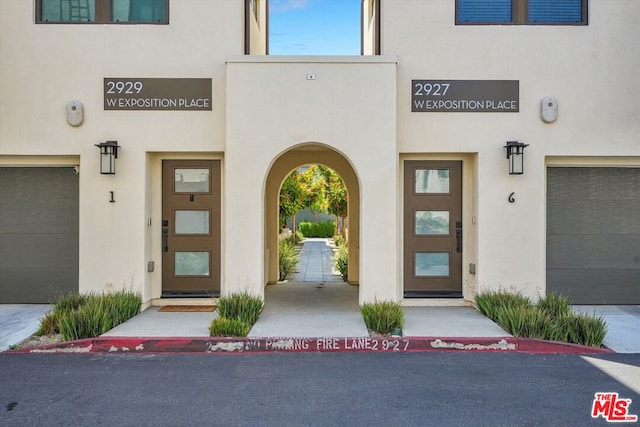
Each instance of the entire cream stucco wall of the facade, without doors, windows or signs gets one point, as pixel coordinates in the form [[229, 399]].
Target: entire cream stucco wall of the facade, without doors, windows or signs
[[359, 106]]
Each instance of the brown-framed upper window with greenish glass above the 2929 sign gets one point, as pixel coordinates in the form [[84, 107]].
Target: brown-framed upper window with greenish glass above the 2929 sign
[[103, 11]]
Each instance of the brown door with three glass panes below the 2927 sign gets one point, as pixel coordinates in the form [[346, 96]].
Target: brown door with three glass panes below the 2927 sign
[[432, 229]]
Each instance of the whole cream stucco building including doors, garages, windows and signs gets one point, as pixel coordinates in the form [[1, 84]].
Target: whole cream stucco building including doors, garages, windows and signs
[[208, 125]]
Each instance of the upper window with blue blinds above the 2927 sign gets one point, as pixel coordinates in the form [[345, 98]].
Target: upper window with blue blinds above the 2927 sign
[[522, 12]]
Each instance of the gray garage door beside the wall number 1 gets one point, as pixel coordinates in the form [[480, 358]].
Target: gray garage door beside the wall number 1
[[38, 234]]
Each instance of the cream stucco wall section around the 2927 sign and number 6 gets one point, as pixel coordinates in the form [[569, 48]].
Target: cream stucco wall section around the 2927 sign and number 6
[[589, 69]]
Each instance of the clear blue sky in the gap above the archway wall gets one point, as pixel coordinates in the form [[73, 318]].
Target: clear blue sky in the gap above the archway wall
[[314, 27]]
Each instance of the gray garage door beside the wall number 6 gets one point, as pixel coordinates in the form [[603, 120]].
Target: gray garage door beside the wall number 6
[[593, 234]]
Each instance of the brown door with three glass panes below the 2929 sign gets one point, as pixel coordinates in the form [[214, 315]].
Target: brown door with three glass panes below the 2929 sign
[[190, 228]]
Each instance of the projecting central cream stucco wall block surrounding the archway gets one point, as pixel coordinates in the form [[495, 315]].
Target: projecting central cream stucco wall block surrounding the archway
[[285, 109]]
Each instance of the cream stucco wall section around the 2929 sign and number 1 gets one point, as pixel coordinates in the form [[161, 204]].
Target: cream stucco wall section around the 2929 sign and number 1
[[44, 66]]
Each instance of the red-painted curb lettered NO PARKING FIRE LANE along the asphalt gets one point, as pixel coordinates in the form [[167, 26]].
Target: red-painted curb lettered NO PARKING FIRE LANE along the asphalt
[[145, 345]]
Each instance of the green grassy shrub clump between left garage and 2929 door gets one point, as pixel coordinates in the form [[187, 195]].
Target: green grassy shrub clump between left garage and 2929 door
[[91, 315]]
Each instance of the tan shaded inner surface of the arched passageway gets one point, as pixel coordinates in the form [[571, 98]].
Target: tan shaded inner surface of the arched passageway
[[288, 161]]
